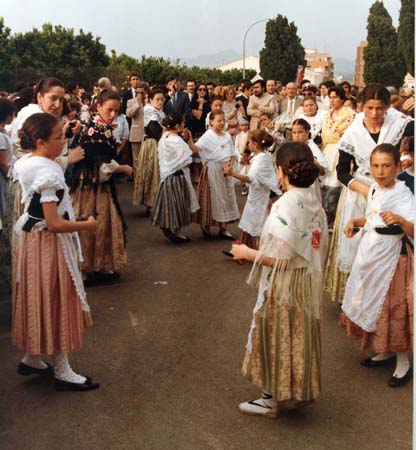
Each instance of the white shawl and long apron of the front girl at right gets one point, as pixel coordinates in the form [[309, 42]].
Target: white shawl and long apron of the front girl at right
[[377, 256]]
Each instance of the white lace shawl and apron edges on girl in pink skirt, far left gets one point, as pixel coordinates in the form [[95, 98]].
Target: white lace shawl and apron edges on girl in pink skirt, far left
[[45, 177]]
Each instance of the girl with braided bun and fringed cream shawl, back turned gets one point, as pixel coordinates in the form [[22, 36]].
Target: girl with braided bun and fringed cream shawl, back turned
[[283, 352]]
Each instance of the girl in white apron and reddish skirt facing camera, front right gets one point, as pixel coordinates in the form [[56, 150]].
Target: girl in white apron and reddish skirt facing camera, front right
[[378, 300]]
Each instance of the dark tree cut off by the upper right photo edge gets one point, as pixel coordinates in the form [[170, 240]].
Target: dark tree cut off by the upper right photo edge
[[406, 33]]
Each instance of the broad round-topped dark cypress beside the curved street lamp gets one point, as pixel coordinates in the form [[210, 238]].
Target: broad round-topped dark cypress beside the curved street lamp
[[283, 51]]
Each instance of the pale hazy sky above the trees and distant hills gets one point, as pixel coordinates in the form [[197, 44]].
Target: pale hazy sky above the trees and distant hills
[[189, 28]]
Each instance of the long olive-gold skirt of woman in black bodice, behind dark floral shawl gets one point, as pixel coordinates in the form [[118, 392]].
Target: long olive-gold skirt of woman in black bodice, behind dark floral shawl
[[147, 175]]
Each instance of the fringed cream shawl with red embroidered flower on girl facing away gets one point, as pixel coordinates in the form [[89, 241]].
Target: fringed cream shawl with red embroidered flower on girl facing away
[[296, 221]]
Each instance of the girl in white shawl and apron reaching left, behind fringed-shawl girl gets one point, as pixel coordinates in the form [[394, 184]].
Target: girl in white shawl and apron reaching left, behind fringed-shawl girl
[[261, 179]]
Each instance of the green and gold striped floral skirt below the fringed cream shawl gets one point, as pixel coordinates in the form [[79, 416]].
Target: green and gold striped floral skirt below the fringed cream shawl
[[285, 358]]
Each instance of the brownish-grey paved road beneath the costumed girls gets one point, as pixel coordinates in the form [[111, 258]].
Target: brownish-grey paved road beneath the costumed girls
[[167, 347]]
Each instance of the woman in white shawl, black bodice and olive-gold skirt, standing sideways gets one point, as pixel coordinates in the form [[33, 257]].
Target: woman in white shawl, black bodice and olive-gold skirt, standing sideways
[[147, 178]]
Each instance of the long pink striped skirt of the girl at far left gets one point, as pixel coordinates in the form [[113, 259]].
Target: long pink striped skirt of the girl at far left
[[47, 315]]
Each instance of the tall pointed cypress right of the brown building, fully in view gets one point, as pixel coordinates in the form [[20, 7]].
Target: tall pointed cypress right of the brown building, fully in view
[[384, 62]]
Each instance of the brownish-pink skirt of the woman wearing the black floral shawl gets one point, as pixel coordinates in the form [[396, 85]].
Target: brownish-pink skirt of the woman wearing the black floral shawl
[[104, 249]]
